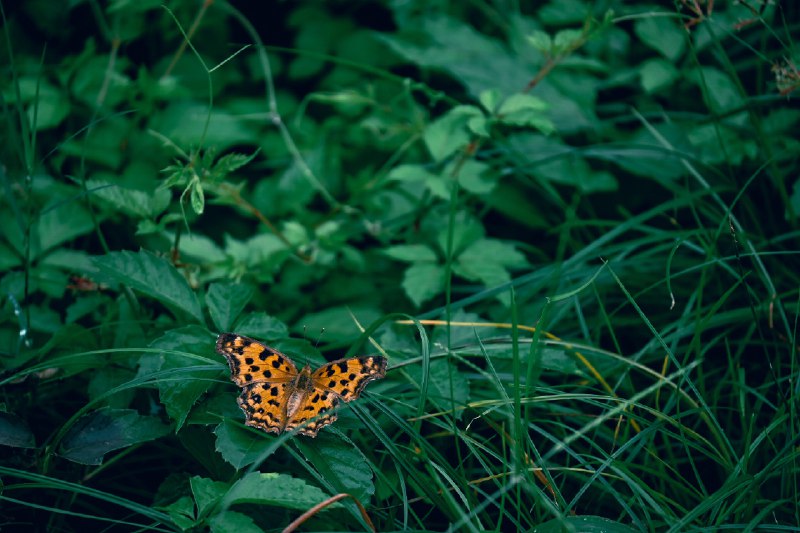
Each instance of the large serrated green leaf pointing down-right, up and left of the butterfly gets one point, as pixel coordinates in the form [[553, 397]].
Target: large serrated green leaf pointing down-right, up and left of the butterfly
[[150, 275]]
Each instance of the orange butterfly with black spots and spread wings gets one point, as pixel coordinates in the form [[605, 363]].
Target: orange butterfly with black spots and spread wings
[[276, 397]]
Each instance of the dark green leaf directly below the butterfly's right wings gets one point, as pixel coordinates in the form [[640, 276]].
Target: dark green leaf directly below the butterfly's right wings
[[340, 463]]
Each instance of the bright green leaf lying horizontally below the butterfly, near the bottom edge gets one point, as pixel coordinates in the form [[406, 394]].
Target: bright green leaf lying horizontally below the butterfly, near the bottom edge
[[278, 490]]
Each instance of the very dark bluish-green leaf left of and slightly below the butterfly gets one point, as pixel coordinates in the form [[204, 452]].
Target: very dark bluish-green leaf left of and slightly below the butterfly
[[106, 430]]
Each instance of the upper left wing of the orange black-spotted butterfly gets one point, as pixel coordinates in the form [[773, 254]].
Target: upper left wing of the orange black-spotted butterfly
[[253, 362]]
